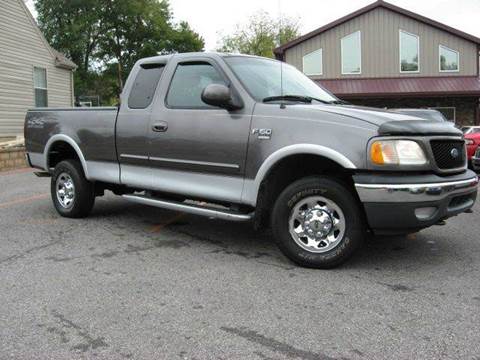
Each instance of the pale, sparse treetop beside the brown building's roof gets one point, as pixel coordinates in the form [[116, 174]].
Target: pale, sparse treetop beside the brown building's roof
[[260, 35]]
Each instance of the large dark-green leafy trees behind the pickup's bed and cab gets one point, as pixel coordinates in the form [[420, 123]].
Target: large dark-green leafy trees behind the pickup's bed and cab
[[106, 37]]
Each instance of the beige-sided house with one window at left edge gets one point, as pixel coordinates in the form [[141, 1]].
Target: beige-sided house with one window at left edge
[[32, 74]]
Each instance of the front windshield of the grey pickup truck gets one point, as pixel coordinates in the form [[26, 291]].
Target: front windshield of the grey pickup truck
[[262, 77]]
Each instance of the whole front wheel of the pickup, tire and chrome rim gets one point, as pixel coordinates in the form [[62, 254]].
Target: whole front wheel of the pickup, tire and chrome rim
[[317, 223]]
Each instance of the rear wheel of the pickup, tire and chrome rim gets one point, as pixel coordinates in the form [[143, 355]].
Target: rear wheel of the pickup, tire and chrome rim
[[72, 194]]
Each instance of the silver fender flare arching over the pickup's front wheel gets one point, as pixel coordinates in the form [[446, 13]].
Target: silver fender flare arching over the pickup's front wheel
[[252, 186]]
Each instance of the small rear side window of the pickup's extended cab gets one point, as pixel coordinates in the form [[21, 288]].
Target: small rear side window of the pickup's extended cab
[[144, 87]]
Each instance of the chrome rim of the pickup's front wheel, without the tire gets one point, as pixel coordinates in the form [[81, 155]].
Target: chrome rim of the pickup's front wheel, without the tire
[[317, 224]]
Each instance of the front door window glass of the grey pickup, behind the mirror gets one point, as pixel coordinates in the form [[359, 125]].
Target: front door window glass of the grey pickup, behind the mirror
[[188, 83]]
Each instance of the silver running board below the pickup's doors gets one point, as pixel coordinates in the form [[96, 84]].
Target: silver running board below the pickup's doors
[[190, 208]]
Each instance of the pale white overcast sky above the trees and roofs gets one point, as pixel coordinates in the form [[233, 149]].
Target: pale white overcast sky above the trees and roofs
[[212, 18]]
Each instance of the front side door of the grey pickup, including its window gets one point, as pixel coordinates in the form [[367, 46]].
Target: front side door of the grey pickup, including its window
[[196, 149]]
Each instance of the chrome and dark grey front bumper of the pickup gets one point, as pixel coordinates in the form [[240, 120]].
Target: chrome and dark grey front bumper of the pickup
[[403, 203]]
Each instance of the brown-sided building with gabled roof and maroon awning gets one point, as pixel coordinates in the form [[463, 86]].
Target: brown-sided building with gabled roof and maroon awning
[[385, 56]]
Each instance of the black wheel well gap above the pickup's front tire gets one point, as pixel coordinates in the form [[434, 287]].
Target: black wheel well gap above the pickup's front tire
[[290, 169]]
